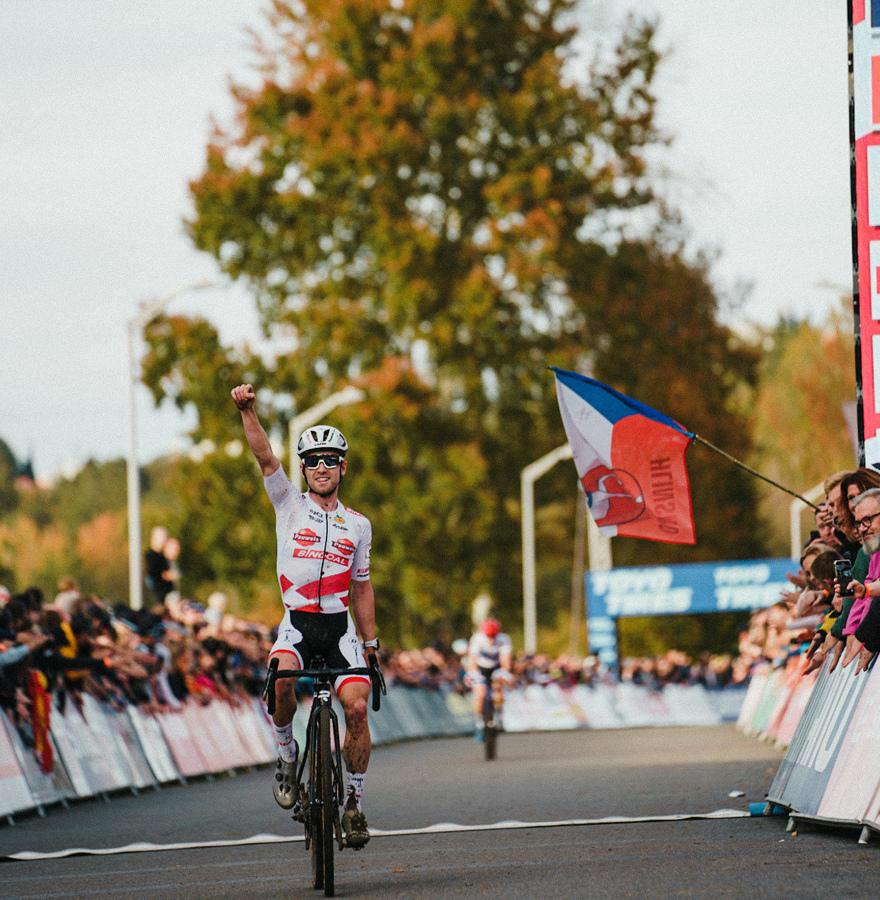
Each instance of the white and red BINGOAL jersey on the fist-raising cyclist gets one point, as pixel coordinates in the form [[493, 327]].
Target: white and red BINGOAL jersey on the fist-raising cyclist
[[319, 552]]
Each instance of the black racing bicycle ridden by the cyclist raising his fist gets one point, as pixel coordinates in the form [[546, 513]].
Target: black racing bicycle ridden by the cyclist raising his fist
[[317, 804]]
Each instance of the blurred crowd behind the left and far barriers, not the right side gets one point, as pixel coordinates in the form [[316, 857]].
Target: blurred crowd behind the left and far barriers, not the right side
[[179, 649]]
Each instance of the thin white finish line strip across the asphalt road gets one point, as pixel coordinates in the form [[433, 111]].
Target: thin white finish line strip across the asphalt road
[[439, 828]]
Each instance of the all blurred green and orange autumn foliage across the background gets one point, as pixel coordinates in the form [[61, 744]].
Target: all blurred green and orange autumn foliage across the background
[[434, 200]]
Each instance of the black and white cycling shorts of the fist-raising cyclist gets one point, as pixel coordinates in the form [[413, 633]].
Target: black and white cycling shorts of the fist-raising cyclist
[[330, 635]]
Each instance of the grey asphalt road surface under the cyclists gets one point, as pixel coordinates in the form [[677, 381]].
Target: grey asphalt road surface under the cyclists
[[538, 778]]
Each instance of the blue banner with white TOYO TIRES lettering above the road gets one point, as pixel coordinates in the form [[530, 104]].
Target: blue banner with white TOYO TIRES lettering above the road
[[677, 590]]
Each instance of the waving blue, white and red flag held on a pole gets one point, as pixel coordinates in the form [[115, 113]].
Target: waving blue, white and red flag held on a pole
[[630, 460]]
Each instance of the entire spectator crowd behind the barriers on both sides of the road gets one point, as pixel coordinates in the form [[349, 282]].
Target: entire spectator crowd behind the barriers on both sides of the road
[[179, 648]]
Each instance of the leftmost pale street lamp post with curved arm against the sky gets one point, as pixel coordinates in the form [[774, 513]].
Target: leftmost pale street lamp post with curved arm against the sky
[[147, 310]]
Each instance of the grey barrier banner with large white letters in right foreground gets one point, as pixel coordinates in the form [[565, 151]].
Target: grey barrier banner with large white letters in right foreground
[[806, 769]]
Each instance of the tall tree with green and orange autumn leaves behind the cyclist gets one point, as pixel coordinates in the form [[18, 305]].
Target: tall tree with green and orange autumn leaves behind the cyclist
[[435, 199]]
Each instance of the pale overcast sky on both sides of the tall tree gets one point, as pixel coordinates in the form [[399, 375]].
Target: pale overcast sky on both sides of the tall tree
[[105, 113]]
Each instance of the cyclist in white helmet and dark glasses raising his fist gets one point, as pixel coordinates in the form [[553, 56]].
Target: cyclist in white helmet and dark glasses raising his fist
[[323, 569]]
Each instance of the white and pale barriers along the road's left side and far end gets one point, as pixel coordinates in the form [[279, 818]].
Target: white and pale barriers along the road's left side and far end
[[99, 749]]
